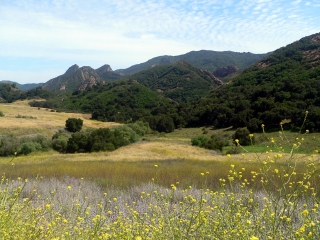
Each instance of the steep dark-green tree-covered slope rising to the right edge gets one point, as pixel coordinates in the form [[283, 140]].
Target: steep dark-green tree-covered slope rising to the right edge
[[281, 86]]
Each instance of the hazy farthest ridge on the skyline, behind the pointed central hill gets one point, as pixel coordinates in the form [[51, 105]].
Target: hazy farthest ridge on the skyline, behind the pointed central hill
[[204, 59]]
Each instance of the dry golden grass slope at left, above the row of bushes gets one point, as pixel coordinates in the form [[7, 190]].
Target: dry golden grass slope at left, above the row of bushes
[[46, 122]]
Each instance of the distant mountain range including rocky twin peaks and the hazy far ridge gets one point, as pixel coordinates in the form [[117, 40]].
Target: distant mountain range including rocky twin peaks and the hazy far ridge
[[223, 63]]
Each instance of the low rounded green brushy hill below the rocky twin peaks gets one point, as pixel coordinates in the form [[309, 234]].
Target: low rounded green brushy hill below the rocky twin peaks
[[120, 101]]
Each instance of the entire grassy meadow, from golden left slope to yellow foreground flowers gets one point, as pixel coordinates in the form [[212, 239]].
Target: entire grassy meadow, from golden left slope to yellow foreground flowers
[[160, 187]]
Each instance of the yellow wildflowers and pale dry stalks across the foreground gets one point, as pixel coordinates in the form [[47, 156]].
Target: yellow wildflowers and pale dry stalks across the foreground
[[76, 209]]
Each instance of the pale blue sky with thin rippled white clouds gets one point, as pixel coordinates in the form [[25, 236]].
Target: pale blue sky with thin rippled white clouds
[[40, 40]]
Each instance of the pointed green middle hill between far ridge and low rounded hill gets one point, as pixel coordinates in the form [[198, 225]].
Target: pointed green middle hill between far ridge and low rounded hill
[[180, 82]]
